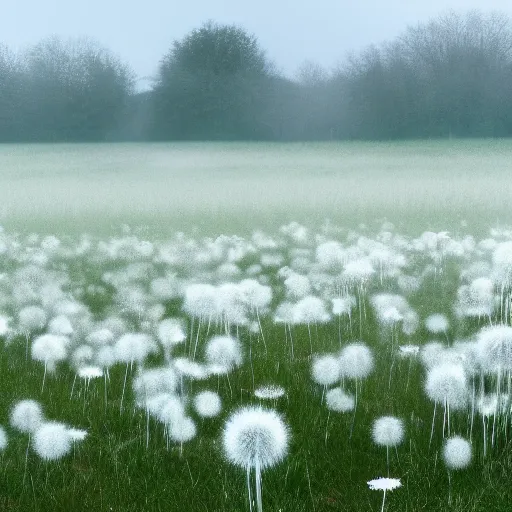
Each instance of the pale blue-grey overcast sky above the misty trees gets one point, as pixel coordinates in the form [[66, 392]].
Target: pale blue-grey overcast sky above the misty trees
[[141, 31]]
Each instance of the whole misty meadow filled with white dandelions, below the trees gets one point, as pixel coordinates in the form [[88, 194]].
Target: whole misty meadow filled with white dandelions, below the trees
[[352, 282]]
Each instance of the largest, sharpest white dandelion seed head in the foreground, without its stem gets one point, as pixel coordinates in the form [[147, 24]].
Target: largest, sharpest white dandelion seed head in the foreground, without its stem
[[255, 436]]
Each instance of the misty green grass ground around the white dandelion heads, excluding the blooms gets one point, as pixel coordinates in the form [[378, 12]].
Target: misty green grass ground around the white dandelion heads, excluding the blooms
[[208, 190]]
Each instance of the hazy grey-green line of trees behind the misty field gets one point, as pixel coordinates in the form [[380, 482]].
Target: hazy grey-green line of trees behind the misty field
[[449, 77]]
